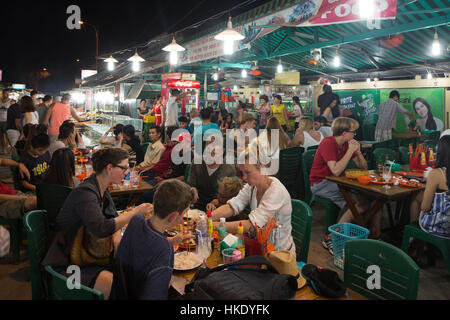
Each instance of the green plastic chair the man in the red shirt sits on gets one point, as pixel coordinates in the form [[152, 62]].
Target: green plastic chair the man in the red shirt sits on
[[331, 209]]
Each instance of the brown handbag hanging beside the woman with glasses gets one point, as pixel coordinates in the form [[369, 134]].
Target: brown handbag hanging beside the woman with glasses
[[88, 250]]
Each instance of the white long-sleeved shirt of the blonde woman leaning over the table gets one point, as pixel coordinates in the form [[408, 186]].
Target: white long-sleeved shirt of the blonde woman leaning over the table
[[276, 202]]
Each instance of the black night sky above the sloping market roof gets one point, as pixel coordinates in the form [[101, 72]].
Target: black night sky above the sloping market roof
[[35, 36]]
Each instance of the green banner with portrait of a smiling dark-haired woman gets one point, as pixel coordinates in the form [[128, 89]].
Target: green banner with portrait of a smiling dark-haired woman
[[426, 104]]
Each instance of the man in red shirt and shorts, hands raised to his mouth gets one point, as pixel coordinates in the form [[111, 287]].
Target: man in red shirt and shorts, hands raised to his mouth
[[332, 158]]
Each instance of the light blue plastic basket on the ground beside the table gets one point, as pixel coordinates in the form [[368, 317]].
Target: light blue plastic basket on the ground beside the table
[[340, 233]]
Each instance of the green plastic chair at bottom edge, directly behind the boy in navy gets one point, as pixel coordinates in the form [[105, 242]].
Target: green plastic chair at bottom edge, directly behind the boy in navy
[[57, 288]]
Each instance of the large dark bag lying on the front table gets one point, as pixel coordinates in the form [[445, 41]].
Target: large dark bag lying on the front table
[[241, 281]]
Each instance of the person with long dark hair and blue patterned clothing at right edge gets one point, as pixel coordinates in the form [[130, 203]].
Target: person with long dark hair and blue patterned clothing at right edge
[[432, 206]]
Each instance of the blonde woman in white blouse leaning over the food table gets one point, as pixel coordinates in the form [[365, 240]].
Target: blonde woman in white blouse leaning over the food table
[[267, 197]]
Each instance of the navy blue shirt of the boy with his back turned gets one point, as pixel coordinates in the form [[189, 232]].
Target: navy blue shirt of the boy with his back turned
[[144, 263]]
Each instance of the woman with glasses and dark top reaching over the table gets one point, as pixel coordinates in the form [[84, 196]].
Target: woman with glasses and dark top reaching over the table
[[90, 205]]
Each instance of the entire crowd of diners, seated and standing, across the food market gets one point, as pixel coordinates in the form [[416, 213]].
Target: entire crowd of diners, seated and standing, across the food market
[[139, 263]]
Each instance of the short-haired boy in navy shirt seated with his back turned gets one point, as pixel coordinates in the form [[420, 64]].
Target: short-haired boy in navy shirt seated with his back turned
[[144, 261]]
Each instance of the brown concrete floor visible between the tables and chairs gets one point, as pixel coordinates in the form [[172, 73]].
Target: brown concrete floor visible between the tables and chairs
[[434, 281]]
